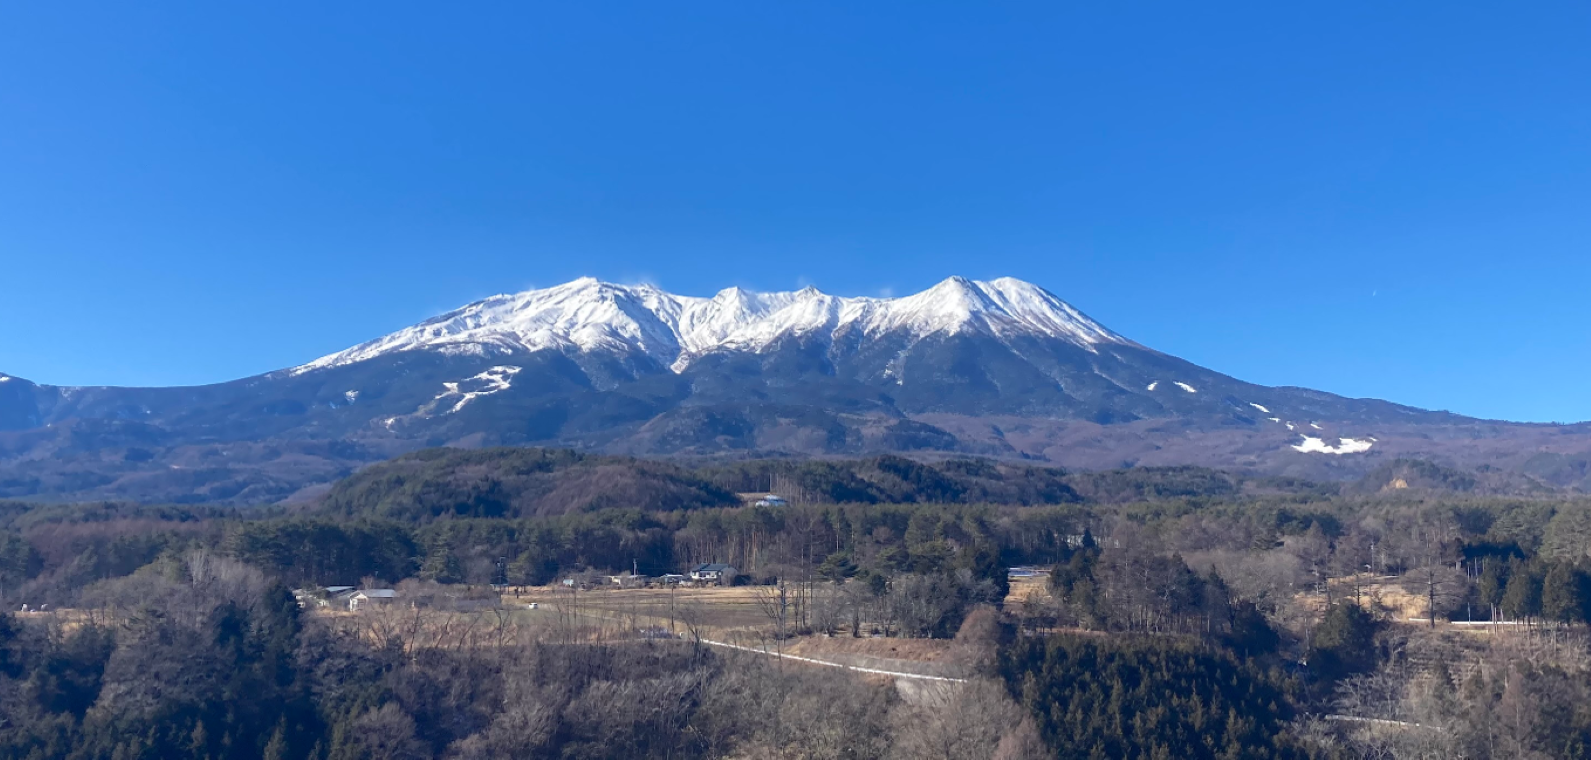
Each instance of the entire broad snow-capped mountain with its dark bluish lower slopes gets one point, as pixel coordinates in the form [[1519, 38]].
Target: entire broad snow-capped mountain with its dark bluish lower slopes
[[997, 370]]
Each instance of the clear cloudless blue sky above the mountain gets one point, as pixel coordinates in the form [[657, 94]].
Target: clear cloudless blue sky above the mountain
[[1374, 200]]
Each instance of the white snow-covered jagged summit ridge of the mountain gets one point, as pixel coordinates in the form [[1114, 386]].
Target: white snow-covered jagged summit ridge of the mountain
[[589, 316]]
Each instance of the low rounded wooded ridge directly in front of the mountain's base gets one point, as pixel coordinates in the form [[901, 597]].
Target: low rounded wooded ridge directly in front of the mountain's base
[[542, 483]]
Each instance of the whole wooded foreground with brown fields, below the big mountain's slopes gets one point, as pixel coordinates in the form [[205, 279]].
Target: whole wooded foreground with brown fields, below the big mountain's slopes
[[1175, 613]]
